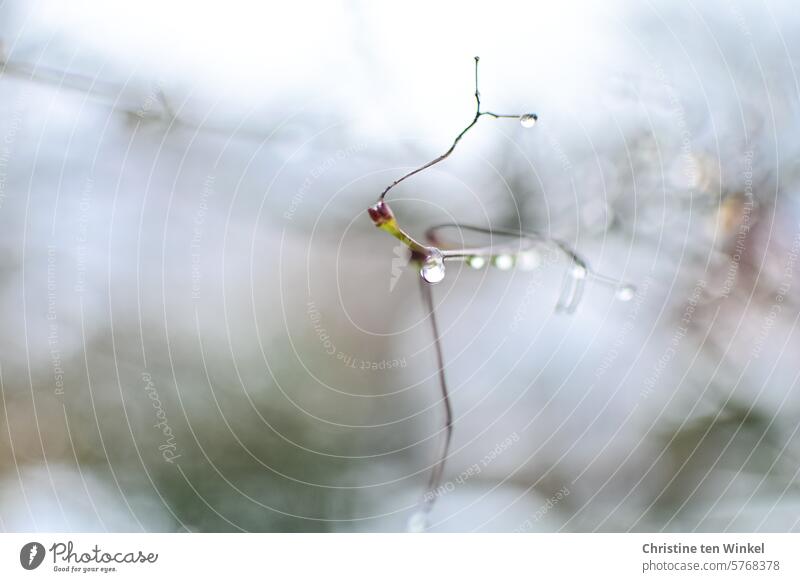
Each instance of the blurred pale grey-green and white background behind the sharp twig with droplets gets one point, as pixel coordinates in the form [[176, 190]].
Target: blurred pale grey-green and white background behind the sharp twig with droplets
[[202, 330]]
